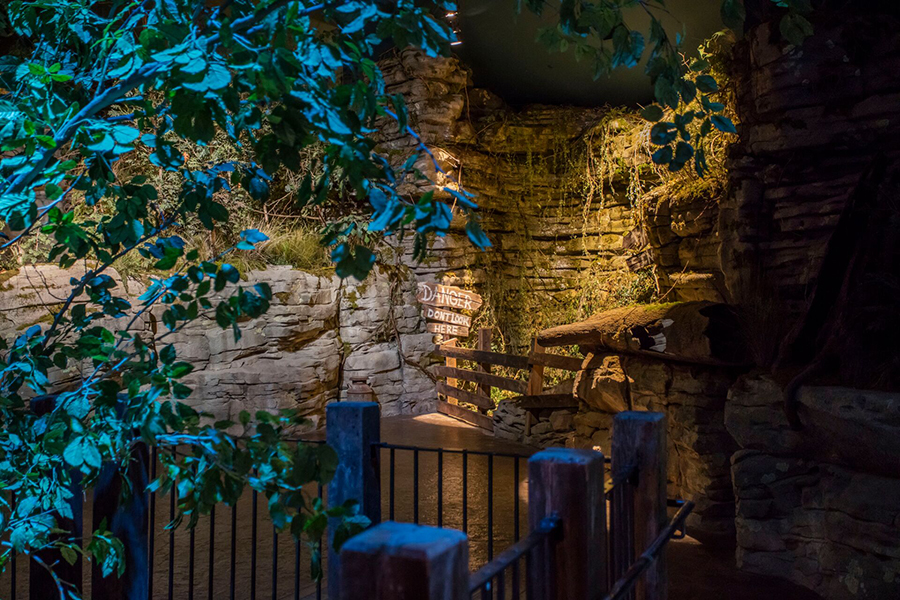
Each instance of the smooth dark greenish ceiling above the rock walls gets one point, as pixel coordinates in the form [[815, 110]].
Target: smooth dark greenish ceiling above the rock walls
[[501, 49]]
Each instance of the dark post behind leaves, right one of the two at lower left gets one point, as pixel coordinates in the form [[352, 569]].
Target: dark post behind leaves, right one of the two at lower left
[[127, 517]]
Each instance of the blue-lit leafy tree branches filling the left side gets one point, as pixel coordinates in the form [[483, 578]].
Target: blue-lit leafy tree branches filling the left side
[[94, 82]]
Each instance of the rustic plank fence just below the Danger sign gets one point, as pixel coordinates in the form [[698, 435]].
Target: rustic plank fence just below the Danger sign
[[530, 393]]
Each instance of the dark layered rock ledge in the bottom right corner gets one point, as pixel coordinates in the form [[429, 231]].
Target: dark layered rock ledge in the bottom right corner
[[818, 506]]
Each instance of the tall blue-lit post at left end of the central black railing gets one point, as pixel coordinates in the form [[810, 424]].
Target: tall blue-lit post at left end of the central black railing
[[352, 429]]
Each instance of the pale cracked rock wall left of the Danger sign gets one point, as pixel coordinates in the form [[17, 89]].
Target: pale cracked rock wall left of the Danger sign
[[300, 354]]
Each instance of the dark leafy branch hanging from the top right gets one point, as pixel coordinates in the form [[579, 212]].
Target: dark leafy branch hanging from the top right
[[599, 31]]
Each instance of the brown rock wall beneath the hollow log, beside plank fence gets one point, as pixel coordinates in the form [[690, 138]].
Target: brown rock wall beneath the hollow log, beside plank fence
[[693, 399]]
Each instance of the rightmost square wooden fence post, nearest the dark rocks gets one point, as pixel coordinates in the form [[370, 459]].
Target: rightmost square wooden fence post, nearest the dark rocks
[[639, 442]]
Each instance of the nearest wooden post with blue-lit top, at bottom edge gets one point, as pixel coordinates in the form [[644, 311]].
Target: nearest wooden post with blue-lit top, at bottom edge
[[402, 561]]
